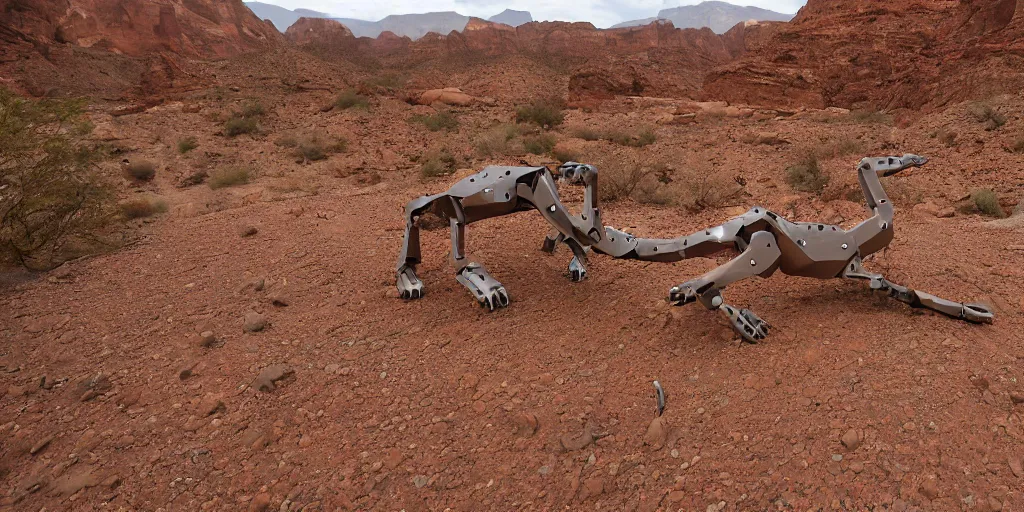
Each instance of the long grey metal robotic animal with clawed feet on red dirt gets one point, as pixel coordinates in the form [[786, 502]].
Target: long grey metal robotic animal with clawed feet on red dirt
[[765, 241]]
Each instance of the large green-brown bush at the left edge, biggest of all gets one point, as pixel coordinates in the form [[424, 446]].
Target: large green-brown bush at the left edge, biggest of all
[[54, 203]]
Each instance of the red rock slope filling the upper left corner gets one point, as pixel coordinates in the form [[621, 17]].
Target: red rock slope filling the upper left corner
[[204, 29]]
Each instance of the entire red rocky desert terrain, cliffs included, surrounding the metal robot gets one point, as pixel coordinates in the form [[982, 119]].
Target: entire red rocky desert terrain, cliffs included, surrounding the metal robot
[[245, 348]]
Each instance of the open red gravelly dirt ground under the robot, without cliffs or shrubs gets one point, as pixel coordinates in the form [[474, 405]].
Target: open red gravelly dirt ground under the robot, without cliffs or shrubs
[[133, 380]]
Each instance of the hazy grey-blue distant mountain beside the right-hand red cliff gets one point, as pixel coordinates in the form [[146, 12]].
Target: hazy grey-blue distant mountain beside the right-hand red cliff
[[719, 17]]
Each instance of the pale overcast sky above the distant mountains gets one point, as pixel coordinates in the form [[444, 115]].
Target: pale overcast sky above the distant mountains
[[601, 13]]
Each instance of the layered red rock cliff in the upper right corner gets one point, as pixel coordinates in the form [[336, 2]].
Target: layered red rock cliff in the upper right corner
[[861, 54]]
